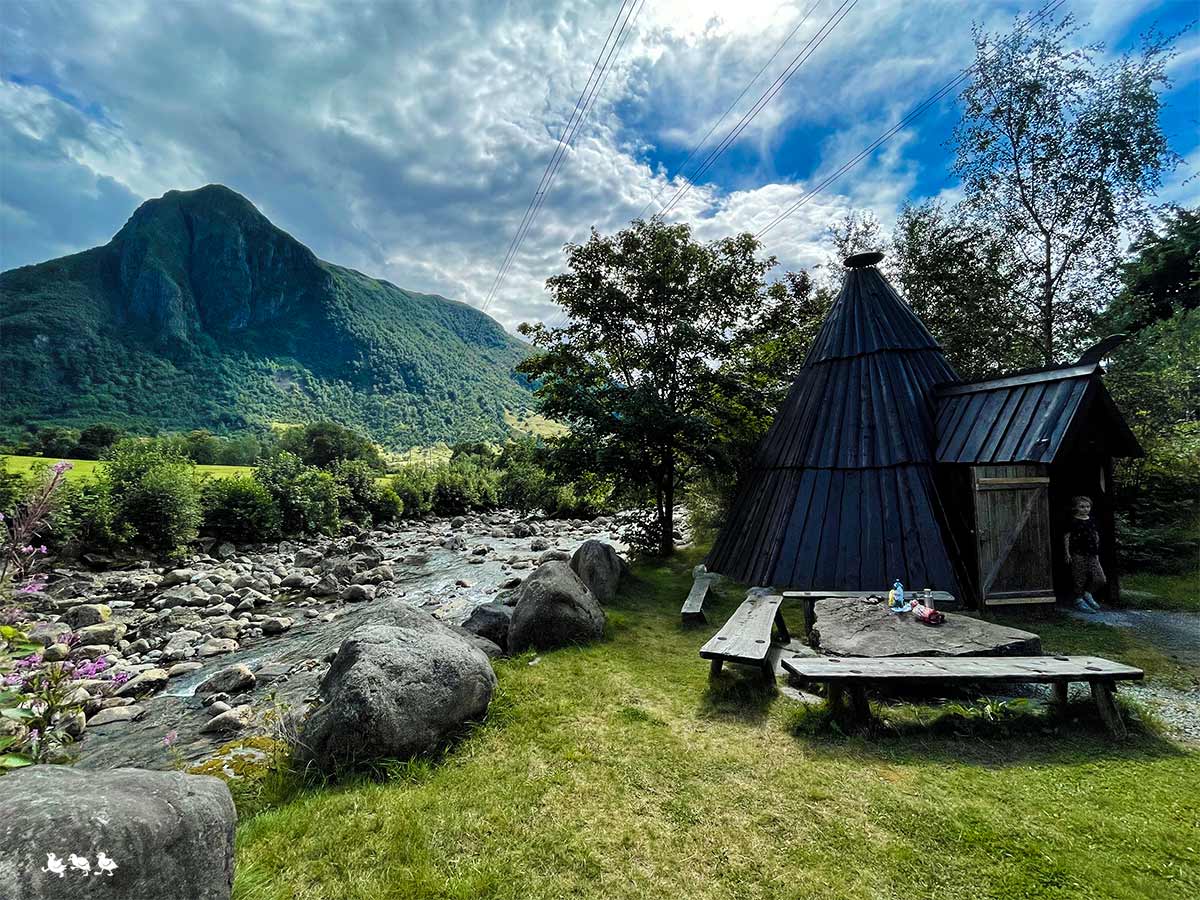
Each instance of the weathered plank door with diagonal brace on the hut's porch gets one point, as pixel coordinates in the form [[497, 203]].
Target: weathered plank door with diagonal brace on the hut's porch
[[1012, 507]]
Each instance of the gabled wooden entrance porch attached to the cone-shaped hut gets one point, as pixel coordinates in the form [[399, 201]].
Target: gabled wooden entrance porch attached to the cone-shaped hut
[[1011, 455]]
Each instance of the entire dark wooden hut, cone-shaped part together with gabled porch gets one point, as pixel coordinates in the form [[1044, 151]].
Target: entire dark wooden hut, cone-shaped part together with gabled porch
[[883, 465]]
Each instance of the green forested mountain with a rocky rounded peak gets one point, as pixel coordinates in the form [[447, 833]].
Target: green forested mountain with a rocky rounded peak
[[202, 314]]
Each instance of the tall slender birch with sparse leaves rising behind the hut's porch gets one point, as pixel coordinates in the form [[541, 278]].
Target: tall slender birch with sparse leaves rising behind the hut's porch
[[1059, 151]]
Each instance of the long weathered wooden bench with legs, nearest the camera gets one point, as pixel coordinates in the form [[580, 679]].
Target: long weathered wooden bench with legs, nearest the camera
[[854, 675]]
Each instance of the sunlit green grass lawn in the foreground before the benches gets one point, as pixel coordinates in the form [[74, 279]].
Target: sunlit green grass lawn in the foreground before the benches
[[617, 771]]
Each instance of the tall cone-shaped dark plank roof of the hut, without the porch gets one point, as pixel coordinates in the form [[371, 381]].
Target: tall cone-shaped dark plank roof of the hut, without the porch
[[842, 495]]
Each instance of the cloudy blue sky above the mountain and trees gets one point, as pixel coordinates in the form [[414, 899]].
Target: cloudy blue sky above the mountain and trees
[[406, 140]]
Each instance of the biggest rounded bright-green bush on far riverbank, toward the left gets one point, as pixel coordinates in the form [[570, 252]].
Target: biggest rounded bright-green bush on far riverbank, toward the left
[[155, 493]]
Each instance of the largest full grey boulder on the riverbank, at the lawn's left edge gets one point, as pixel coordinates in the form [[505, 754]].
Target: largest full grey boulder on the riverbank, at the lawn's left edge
[[395, 692]]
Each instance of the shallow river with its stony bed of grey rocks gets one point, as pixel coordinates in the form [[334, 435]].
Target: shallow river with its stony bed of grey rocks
[[265, 621]]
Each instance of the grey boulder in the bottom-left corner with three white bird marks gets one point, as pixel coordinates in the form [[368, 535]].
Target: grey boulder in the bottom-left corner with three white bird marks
[[122, 835]]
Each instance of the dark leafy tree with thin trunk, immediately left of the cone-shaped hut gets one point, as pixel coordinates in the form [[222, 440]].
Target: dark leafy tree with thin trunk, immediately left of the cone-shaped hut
[[653, 317]]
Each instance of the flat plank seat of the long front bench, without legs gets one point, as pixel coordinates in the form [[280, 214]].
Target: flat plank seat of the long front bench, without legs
[[959, 669]]
